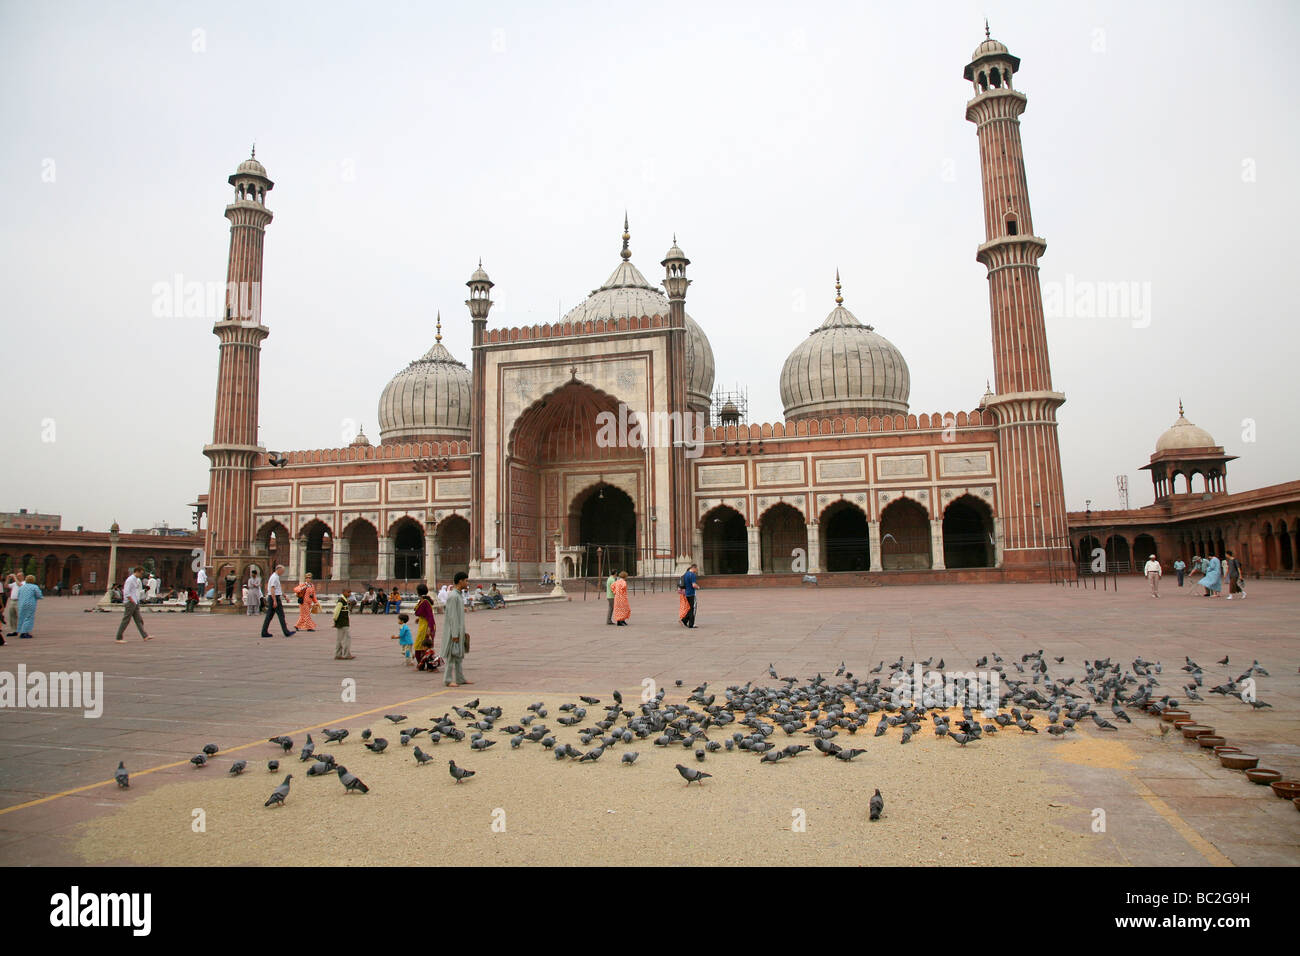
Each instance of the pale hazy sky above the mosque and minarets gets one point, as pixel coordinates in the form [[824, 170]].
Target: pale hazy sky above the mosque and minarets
[[778, 141]]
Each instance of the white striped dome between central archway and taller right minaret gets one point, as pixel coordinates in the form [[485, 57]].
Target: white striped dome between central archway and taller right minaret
[[844, 369]]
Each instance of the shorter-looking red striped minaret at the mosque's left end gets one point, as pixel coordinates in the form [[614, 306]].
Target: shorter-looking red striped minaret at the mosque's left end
[[235, 436]]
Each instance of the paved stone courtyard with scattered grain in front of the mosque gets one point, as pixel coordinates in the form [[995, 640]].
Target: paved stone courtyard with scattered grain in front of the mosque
[[1013, 799]]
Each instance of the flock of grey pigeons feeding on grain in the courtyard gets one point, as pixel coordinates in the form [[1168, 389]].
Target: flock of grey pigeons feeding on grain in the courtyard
[[820, 710]]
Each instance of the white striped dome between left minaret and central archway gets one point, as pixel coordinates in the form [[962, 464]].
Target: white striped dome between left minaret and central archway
[[428, 401]]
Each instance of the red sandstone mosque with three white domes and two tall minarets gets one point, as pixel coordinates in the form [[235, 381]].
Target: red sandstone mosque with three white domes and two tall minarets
[[596, 443]]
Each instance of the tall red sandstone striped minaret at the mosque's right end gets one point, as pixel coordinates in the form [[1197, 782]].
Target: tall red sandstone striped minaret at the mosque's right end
[[1024, 405]]
